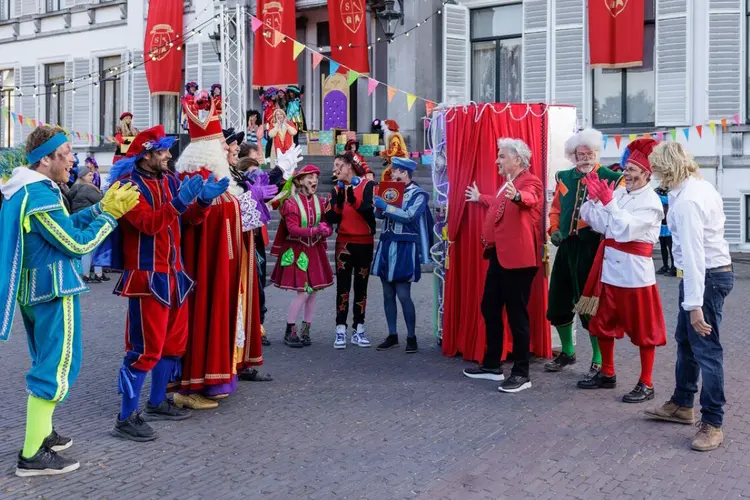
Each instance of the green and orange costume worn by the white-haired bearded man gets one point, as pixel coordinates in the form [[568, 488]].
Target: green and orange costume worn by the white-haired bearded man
[[577, 246]]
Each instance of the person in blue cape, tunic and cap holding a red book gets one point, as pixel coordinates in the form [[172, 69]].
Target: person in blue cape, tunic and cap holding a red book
[[404, 245]]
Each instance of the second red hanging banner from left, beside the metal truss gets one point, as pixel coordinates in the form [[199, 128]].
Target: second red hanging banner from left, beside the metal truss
[[273, 61]]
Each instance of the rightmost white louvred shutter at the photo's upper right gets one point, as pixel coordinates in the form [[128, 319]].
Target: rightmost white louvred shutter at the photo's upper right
[[724, 58]]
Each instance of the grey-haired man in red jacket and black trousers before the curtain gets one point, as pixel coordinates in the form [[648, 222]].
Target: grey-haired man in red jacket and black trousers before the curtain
[[513, 246]]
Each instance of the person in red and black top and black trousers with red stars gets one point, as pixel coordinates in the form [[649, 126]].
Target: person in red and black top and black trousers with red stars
[[352, 210]]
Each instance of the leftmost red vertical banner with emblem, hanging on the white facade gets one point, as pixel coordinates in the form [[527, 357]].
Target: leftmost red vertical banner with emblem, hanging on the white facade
[[163, 35]]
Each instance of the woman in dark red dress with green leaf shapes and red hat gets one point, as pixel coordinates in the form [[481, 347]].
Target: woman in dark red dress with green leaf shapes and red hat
[[300, 247]]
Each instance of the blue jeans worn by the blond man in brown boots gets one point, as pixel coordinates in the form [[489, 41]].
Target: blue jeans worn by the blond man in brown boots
[[697, 355]]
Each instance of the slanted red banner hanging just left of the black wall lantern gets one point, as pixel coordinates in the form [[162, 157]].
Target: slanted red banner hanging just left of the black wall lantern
[[348, 24]]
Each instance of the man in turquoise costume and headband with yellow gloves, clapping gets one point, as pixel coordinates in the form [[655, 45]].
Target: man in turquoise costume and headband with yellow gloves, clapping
[[40, 250]]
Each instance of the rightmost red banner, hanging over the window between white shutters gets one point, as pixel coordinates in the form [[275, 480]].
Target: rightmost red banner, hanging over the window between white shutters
[[616, 33]]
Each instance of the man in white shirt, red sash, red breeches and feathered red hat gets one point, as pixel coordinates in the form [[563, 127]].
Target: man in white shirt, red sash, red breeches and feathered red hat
[[621, 295]]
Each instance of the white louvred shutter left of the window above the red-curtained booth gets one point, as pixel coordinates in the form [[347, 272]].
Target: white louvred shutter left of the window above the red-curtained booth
[[456, 60]]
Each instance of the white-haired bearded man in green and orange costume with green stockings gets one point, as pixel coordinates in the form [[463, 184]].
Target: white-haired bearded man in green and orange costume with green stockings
[[577, 244]]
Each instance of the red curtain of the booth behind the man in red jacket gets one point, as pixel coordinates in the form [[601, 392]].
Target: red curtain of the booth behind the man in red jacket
[[471, 144]]
